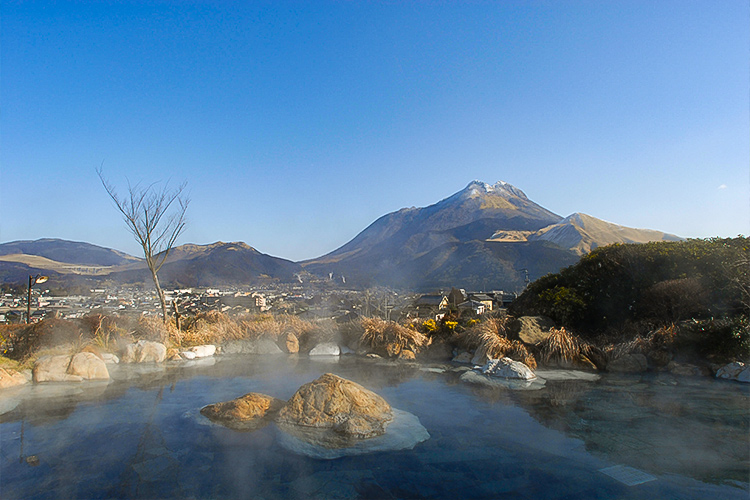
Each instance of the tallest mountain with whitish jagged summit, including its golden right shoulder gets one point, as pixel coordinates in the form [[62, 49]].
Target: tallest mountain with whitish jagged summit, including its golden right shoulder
[[483, 237]]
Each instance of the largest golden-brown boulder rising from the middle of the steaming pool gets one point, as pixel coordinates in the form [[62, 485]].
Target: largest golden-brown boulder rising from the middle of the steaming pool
[[335, 403]]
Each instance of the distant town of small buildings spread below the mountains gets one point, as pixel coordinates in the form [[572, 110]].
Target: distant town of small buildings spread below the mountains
[[304, 302]]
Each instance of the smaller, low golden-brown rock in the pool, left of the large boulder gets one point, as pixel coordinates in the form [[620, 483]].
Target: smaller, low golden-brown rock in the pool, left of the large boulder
[[248, 412]]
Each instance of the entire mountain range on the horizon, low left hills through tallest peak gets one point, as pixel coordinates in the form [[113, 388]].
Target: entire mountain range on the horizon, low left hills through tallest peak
[[483, 237]]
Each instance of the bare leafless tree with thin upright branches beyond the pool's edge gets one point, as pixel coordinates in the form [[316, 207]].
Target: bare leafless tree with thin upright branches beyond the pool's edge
[[156, 217]]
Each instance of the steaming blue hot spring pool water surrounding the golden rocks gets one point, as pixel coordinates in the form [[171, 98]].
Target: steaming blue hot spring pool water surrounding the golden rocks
[[141, 436]]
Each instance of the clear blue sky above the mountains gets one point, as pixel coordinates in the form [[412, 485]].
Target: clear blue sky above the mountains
[[297, 124]]
